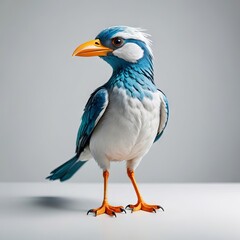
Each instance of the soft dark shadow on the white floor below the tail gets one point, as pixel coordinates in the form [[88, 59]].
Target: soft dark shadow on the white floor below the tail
[[56, 203]]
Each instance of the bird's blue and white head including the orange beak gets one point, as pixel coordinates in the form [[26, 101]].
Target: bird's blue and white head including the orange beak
[[120, 46]]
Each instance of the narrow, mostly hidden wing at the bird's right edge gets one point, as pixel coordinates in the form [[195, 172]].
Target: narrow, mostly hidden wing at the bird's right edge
[[164, 113]]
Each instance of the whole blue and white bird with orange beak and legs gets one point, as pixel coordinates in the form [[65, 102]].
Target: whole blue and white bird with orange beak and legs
[[124, 116]]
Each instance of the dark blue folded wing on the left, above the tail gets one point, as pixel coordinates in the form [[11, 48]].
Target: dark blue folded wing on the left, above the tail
[[93, 112]]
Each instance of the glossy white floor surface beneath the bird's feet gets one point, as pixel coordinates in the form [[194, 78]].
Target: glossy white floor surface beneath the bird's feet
[[55, 210]]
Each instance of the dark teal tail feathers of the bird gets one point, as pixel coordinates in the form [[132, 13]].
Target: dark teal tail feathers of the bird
[[66, 170]]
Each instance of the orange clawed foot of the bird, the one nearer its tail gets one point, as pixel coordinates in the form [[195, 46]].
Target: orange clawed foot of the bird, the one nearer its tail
[[107, 209]]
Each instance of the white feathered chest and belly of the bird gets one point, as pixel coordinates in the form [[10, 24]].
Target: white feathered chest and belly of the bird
[[127, 128]]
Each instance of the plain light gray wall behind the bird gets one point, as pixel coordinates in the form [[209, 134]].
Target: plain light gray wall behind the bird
[[43, 89]]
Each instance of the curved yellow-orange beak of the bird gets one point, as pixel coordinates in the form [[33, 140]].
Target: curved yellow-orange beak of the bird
[[91, 48]]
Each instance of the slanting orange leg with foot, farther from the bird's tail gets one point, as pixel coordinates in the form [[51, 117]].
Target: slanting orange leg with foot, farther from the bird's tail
[[140, 205]]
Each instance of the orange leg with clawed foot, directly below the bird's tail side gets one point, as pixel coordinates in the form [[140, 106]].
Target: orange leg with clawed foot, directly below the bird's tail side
[[105, 207]]
